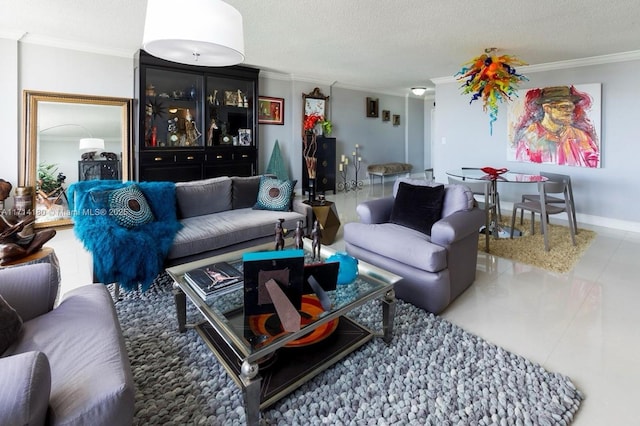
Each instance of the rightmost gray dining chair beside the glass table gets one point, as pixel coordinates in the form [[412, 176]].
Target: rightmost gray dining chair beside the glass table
[[544, 209]]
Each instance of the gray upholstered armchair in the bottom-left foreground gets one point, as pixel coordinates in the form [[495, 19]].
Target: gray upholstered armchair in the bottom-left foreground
[[69, 365]]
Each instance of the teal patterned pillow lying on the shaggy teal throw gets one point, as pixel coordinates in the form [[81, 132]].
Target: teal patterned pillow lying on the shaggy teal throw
[[129, 208]]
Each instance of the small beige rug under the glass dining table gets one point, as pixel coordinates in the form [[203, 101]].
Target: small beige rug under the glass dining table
[[561, 257]]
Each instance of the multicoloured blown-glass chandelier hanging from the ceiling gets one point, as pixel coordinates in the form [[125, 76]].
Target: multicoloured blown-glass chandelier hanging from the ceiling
[[491, 78]]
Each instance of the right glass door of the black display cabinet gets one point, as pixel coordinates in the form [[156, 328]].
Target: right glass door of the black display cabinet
[[229, 116]]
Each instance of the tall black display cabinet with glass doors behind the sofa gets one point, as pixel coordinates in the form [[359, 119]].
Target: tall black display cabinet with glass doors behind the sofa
[[194, 122]]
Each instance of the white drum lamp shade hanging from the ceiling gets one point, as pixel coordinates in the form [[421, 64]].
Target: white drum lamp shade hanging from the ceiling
[[195, 32]]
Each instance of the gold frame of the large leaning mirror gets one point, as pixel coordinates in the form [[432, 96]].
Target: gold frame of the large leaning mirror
[[28, 168]]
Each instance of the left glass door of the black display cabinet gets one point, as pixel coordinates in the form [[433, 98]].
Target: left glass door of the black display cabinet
[[174, 113]]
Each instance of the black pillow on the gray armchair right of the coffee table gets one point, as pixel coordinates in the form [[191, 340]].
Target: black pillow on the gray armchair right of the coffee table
[[417, 207]]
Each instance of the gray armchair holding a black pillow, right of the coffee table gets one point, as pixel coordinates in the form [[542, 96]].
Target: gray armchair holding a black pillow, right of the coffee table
[[435, 269]]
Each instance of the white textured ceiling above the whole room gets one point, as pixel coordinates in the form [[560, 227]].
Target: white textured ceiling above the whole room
[[384, 45]]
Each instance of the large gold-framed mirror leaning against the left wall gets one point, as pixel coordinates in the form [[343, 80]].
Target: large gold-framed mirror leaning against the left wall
[[70, 138]]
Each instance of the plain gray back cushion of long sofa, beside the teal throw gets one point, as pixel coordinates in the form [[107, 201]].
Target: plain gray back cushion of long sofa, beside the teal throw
[[200, 197]]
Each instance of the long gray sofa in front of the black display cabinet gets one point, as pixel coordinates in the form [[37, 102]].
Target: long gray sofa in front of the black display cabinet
[[217, 216]]
